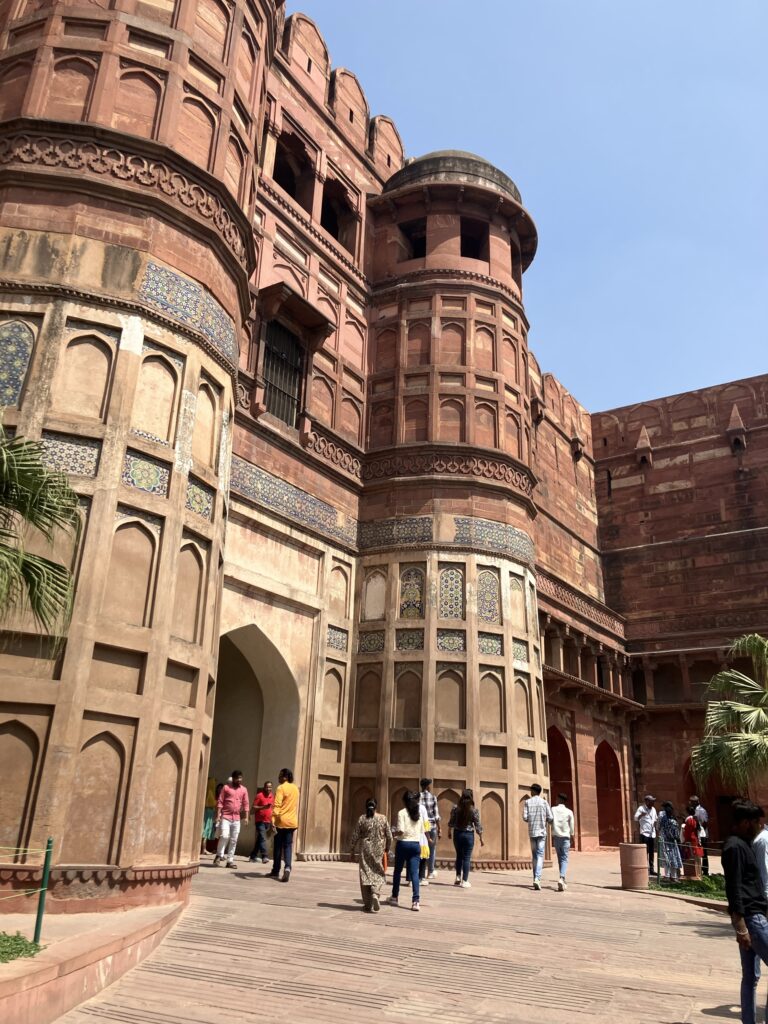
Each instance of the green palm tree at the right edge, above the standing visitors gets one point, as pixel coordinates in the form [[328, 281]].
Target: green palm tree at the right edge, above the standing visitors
[[735, 747]]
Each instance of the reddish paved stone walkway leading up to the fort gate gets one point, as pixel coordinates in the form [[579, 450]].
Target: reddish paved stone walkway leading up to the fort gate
[[249, 949]]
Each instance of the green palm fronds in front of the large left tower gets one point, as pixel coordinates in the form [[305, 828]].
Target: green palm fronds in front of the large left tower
[[33, 498]]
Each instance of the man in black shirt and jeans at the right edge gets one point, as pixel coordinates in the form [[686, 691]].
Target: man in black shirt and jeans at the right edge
[[747, 904]]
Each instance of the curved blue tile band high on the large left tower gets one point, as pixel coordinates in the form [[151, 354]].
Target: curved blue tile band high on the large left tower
[[185, 301]]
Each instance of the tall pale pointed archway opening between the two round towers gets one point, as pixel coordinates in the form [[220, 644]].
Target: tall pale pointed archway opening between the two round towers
[[257, 714]]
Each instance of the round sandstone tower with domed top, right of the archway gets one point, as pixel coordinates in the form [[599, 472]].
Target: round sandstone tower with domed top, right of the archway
[[448, 677]]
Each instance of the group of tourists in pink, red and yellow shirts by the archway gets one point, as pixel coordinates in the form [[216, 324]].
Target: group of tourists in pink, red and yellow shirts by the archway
[[275, 815]]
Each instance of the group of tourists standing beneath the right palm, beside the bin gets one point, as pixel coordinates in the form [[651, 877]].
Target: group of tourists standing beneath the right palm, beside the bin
[[677, 846]]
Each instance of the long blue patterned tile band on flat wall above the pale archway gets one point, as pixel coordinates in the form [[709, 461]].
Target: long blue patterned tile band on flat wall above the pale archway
[[297, 505]]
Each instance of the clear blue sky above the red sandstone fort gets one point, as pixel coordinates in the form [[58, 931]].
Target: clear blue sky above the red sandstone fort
[[638, 137]]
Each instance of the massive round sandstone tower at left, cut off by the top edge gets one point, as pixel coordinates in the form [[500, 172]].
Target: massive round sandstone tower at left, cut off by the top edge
[[130, 137]]
